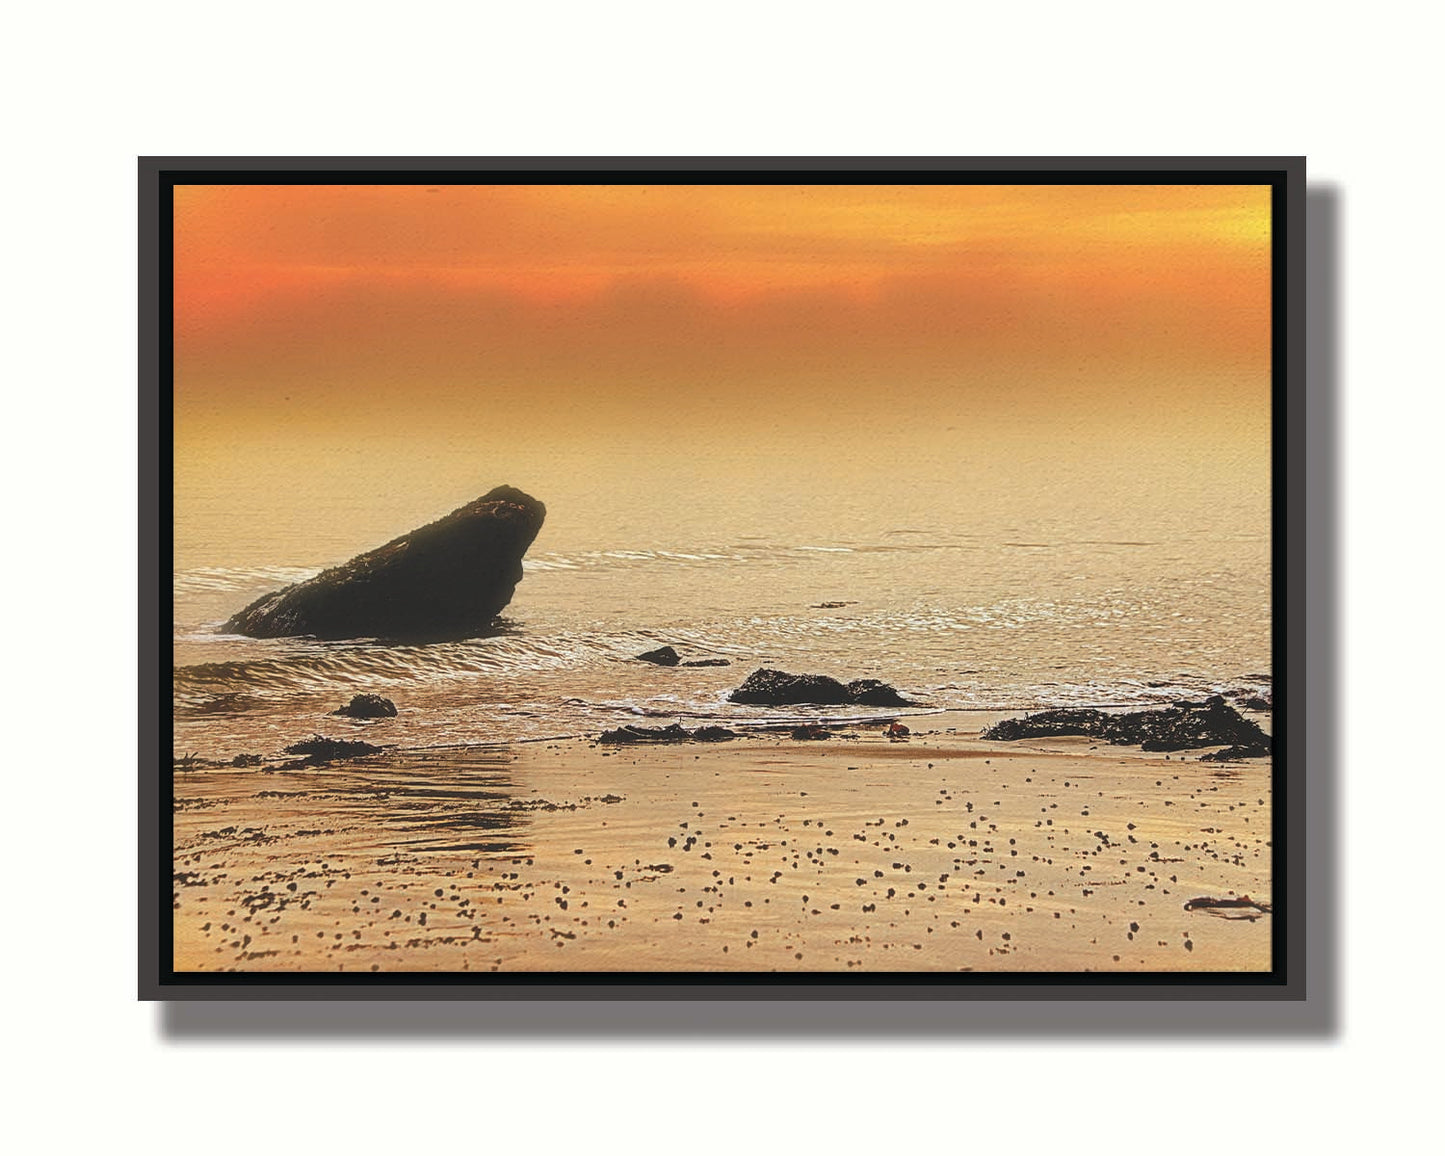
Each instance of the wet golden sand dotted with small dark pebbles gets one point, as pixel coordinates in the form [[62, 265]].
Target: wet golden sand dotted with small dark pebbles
[[940, 853]]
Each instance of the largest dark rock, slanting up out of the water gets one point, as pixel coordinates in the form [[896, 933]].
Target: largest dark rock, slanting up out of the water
[[449, 580]]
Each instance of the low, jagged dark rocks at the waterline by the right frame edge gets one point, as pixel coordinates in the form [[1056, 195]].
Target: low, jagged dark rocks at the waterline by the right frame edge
[[1186, 726]]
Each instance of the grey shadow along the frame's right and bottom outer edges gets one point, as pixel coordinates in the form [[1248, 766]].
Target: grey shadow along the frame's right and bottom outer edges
[[678, 1015]]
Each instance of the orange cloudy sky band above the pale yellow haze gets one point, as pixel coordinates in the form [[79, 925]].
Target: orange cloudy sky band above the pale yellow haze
[[612, 306]]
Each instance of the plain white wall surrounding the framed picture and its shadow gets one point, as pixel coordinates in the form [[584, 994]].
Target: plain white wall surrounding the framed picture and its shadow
[[89, 89]]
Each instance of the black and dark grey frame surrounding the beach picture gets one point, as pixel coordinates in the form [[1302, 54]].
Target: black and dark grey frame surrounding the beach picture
[[1285, 982]]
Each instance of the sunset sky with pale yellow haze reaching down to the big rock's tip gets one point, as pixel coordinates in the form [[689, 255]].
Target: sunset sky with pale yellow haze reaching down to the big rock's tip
[[343, 336]]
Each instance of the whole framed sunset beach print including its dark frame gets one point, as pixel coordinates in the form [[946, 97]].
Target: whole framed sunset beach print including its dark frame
[[751, 579]]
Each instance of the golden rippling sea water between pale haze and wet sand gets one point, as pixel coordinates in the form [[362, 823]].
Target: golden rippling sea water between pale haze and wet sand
[[996, 611]]
